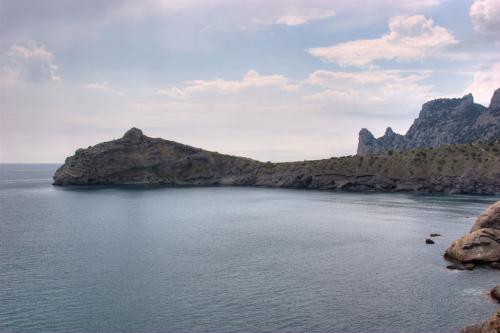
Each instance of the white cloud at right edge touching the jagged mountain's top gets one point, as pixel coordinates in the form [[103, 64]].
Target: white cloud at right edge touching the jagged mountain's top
[[486, 80]]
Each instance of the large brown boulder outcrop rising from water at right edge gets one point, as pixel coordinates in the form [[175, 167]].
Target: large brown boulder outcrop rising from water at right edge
[[482, 244]]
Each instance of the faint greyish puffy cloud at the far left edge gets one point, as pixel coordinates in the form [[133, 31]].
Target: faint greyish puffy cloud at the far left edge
[[32, 63]]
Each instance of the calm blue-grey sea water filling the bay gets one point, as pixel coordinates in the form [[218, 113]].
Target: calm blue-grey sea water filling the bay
[[223, 259]]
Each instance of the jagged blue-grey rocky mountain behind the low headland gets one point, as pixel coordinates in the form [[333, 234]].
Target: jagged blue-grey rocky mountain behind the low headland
[[441, 122]]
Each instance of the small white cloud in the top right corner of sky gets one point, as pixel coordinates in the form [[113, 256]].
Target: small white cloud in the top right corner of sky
[[485, 16]]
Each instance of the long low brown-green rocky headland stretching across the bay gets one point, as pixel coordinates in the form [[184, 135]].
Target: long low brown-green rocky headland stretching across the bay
[[139, 159]]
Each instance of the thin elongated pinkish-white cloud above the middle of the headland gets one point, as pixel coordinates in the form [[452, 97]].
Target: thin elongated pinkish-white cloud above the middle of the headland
[[251, 80]]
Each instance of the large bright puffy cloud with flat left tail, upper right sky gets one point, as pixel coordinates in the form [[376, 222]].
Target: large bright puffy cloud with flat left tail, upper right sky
[[410, 38]]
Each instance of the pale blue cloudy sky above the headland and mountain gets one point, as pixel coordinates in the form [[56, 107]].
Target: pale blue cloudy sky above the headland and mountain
[[270, 80]]
